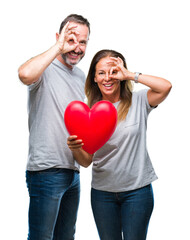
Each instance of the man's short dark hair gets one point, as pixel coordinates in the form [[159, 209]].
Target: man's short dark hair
[[75, 18]]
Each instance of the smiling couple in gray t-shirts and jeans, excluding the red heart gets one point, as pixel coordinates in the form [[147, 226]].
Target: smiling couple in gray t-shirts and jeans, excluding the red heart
[[121, 195]]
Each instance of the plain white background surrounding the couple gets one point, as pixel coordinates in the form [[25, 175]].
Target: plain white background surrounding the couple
[[154, 38]]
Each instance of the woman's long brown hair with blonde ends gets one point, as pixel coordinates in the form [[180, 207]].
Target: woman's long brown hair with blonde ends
[[92, 90]]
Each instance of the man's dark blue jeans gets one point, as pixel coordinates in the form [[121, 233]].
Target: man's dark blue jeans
[[54, 199]]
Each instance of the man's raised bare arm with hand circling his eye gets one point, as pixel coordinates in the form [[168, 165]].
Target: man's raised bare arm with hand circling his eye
[[31, 70]]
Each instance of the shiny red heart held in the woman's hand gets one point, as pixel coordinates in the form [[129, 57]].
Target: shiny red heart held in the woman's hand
[[94, 126]]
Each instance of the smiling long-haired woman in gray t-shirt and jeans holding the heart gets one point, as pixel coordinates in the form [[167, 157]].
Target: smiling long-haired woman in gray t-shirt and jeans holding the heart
[[122, 173]]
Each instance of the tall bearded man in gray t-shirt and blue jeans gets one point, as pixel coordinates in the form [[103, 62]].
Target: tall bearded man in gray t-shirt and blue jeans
[[52, 174]]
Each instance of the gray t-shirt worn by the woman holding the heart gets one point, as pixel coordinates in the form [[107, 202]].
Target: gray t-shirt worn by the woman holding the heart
[[123, 163]]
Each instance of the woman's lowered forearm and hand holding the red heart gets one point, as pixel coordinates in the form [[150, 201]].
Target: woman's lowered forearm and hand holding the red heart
[[81, 156]]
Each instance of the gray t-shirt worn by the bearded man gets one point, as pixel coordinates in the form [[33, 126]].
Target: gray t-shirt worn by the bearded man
[[47, 101]]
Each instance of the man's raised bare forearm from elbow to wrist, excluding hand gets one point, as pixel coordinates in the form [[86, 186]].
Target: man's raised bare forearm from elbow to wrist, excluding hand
[[31, 70]]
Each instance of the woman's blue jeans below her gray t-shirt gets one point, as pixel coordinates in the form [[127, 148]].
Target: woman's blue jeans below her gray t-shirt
[[123, 215]]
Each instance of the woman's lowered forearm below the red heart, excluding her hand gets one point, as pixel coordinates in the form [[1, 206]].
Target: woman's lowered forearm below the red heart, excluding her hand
[[82, 157]]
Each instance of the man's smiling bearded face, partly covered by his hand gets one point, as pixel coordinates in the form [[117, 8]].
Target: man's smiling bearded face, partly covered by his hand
[[73, 57]]
